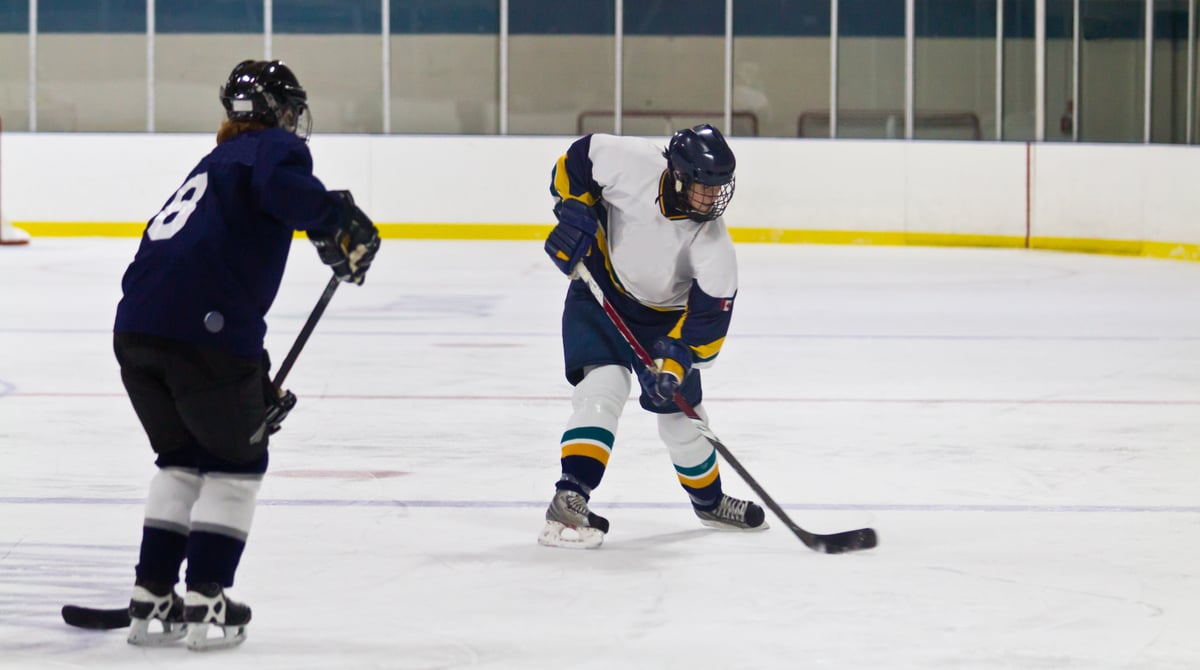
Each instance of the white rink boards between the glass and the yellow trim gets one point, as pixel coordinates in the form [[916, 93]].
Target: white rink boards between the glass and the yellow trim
[[1132, 193]]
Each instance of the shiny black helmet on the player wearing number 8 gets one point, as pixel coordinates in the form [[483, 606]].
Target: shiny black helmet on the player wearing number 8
[[267, 92]]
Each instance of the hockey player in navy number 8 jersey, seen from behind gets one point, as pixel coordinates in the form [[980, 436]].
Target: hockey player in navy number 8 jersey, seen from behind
[[190, 342]]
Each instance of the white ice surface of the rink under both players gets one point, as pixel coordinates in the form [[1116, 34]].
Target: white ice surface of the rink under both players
[[1021, 428]]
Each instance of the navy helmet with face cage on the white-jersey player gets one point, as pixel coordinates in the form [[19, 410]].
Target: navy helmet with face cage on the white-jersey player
[[701, 157]]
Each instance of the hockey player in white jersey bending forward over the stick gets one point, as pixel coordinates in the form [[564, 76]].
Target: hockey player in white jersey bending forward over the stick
[[647, 225]]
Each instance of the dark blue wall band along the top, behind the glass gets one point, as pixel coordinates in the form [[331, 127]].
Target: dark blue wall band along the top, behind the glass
[[766, 19]]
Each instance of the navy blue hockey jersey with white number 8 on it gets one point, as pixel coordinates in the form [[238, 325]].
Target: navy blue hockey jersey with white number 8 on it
[[212, 261]]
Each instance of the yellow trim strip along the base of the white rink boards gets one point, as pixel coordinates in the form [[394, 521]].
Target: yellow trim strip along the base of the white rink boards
[[1179, 252]]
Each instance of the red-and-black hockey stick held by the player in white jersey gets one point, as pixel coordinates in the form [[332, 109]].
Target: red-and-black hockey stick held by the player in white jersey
[[833, 543]]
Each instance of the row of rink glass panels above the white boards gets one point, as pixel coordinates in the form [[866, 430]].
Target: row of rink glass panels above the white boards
[[99, 70]]
